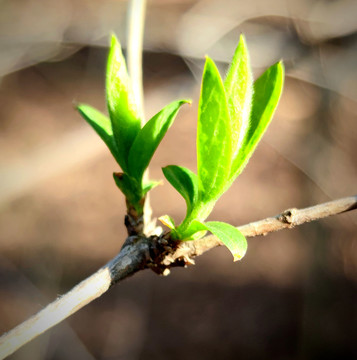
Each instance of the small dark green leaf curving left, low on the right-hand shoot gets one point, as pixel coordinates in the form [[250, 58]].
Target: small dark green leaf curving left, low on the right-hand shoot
[[185, 182]]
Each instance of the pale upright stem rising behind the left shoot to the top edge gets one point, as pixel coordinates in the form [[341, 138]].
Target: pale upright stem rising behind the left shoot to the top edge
[[136, 20]]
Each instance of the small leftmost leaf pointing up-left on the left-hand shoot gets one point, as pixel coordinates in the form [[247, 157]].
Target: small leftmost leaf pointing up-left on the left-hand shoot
[[101, 124]]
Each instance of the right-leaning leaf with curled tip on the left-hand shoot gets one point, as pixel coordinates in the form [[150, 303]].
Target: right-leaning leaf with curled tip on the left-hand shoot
[[149, 138]]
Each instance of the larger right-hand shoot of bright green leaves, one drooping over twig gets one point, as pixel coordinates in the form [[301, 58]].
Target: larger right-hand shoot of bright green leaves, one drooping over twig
[[231, 122]]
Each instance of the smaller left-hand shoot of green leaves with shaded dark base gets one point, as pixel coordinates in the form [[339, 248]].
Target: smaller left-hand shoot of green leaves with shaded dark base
[[132, 146]]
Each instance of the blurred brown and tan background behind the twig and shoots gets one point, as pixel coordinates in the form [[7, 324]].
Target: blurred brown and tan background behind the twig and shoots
[[294, 295]]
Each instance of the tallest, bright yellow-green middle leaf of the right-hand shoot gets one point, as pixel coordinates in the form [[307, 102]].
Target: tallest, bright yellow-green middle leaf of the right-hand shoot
[[239, 89]]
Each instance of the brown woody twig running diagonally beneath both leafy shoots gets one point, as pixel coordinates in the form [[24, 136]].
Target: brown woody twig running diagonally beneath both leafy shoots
[[139, 253]]
